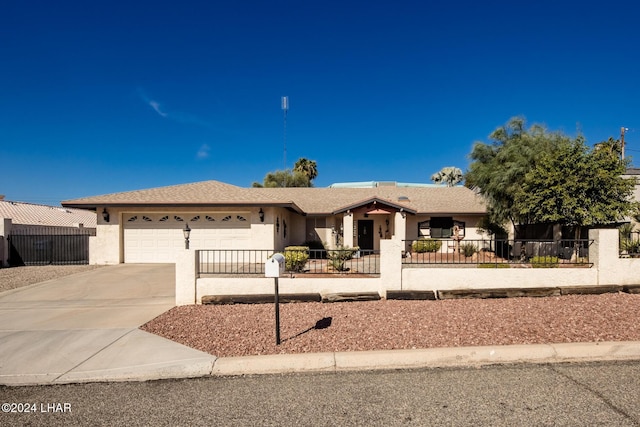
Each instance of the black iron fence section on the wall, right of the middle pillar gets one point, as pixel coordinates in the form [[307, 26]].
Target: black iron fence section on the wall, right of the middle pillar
[[543, 253]]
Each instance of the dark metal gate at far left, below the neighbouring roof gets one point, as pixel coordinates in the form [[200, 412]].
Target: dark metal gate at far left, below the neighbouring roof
[[49, 245]]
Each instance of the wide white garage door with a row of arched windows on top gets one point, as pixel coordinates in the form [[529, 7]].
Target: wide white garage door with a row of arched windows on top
[[156, 237]]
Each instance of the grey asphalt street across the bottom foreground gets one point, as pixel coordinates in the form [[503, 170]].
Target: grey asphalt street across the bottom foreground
[[576, 394]]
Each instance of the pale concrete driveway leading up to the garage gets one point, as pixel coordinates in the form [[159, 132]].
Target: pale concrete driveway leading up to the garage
[[84, 327]]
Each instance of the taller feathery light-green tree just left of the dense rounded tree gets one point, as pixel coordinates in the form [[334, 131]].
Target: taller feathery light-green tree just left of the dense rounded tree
[[498, 168]]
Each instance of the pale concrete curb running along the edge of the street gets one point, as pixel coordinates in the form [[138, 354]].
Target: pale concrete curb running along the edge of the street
[[335, 362]]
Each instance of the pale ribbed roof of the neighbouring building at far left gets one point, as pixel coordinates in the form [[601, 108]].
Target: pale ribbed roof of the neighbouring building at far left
[[51, 216]]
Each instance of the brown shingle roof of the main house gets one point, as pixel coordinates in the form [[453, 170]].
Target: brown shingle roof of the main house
[[311, 201]]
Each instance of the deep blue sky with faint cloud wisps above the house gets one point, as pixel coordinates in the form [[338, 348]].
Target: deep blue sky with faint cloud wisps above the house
[[99, 97]]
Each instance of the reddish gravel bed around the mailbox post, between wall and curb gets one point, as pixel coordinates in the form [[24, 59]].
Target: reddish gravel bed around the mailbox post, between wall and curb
[[249, 329]]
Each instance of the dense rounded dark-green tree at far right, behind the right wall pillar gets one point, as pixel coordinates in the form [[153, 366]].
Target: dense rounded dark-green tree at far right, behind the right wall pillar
[[577, 186]]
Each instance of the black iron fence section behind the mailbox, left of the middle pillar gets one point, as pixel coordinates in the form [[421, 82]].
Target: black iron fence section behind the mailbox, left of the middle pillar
[[313, 261]]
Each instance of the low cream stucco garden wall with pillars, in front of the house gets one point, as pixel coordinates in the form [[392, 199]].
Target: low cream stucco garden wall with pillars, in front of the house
[[607, 269]]
